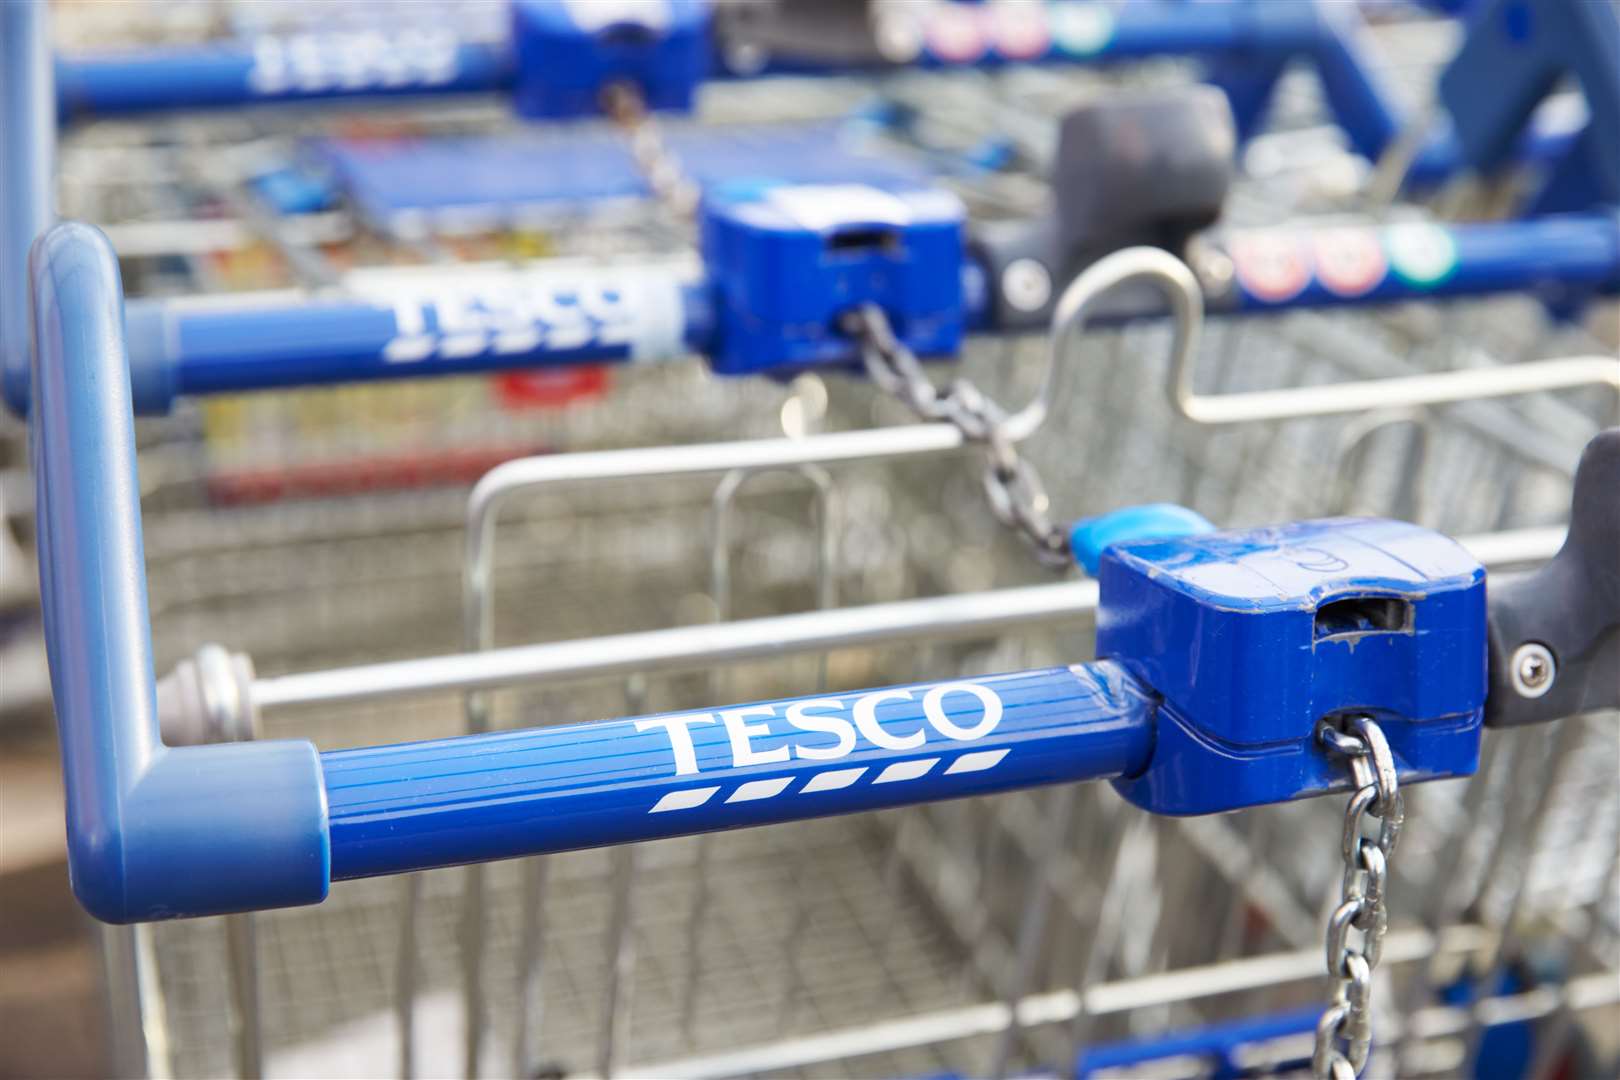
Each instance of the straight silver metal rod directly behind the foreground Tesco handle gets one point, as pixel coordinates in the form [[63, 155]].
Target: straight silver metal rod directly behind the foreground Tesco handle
[[965, 616]]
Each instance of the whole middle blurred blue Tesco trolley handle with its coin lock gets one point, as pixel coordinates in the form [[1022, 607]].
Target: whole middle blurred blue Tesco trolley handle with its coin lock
[[765, 310]]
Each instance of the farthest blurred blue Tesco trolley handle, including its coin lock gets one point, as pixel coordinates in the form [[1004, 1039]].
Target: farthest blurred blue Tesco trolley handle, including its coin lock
[[558, 62]]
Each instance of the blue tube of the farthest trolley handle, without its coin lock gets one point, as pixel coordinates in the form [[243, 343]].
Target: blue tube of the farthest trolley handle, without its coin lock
[[370, 64]]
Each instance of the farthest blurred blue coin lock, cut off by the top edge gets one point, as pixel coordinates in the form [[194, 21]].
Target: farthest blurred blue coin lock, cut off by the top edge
[[571, 51]]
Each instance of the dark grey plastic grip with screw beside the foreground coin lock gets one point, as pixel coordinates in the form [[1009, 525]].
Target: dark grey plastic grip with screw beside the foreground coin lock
[[1556, 632]]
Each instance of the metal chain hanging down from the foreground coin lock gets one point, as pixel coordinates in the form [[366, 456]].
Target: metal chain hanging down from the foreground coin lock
[[1344, 1037]]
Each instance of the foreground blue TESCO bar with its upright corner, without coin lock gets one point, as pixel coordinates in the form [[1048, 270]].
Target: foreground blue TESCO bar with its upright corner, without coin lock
[[158, 833]]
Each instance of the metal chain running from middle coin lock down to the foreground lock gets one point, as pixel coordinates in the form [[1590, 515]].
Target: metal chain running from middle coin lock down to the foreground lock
[[1018, 498]]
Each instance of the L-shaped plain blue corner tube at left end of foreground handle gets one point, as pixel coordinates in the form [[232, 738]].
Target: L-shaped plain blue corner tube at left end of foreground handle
[[153, 833]]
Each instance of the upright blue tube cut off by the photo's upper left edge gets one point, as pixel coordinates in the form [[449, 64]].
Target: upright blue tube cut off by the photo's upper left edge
[[28, 142]]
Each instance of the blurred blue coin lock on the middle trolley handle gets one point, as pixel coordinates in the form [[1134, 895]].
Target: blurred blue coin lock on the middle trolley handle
[[790, 260]]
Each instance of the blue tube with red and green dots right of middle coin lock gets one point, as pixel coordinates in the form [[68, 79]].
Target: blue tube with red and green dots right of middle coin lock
[[1564, 260]]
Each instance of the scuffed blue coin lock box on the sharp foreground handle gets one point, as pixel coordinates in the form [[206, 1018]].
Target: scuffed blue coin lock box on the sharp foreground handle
[[1251, 639]]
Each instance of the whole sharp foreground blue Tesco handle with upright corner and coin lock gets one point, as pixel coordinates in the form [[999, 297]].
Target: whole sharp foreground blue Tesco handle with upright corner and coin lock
[[1222, 655]]
